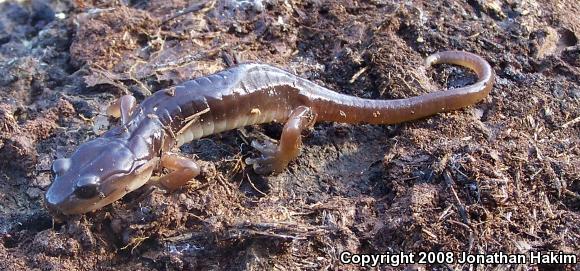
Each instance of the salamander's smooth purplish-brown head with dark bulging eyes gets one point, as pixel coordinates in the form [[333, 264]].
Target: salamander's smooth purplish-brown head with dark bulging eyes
[[99, 172]]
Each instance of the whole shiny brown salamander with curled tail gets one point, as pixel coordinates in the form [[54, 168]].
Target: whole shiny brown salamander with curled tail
[[123, 159]]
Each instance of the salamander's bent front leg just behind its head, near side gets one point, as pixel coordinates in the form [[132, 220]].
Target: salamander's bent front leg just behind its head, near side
[[182, 169]]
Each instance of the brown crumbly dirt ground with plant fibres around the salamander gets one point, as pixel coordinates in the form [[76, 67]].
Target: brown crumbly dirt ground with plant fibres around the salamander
[[503, 175]]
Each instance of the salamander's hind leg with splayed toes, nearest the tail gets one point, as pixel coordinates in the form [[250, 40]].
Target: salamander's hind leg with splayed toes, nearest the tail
[[275, 158]]
